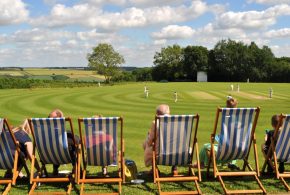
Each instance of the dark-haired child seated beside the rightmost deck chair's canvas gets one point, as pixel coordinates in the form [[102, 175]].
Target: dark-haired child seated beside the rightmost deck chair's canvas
[[266, 145]]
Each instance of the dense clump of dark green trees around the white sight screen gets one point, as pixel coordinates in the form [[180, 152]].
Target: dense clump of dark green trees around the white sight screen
[[227, 61]]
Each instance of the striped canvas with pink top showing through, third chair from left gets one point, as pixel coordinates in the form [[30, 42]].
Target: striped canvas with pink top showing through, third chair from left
[[101, 140]]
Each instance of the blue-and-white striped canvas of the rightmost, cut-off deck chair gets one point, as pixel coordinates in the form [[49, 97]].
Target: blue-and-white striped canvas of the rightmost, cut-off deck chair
[[283, 143]]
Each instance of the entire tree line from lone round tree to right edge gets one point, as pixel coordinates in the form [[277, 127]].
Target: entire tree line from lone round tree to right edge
[[229, 60]]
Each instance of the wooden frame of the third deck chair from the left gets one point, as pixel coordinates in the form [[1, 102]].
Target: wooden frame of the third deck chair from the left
[[82, 174]]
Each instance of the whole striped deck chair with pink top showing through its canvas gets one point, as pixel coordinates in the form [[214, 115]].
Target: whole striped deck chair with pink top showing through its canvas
[[100, 147]]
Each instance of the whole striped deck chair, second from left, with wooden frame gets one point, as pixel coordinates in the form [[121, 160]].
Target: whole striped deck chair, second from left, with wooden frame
[[51, 143]]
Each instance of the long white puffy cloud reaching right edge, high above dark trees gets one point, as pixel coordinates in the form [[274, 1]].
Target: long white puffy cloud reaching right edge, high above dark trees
[[252, 19]]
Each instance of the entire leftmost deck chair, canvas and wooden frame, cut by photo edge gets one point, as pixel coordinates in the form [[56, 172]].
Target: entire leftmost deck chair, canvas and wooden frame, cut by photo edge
[[8, 161]]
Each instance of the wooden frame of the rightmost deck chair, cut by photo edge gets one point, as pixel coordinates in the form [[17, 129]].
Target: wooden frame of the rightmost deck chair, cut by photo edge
[[274, 152]]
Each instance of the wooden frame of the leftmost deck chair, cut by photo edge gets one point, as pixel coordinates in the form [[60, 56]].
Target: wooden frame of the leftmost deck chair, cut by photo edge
[[9, 157]]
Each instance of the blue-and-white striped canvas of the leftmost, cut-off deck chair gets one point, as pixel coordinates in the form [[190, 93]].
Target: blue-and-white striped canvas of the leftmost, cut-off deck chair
[[6, 157]]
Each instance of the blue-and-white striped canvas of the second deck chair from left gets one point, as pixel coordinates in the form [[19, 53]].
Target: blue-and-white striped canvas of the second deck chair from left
[[51, 140]]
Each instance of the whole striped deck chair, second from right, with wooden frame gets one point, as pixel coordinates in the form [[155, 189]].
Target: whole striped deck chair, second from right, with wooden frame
[[237, 135]]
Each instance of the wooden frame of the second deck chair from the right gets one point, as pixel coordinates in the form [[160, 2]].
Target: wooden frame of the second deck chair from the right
[[252, 142]]
